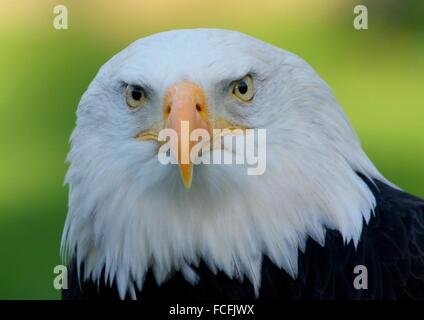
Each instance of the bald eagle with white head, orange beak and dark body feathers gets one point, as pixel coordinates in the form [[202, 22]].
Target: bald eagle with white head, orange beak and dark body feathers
[[139, 229]]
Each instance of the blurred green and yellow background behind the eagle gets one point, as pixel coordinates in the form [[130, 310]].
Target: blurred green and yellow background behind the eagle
[[376, 74]]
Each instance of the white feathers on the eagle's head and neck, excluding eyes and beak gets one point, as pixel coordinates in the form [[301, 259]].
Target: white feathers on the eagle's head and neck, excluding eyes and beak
[[128, 213]]
